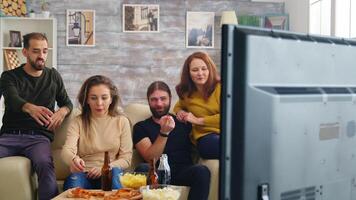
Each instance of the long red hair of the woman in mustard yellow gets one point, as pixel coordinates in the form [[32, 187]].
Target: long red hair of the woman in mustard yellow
[[186, 87]]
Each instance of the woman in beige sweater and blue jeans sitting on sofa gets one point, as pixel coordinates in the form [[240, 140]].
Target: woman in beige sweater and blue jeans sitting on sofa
[[99, 128]]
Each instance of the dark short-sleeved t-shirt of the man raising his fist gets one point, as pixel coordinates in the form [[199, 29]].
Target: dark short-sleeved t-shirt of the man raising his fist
[[178, 146]]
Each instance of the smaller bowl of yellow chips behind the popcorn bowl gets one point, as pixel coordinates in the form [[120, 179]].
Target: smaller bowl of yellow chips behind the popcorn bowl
[[133, 180]]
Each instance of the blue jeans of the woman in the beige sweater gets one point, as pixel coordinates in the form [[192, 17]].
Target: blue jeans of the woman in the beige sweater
[[80, 179]]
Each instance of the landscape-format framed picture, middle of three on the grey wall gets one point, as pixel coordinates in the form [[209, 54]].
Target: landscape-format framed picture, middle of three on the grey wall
[[140, 18]]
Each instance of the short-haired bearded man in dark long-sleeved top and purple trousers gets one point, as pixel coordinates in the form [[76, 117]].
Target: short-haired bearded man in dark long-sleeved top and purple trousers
[[30, 93]]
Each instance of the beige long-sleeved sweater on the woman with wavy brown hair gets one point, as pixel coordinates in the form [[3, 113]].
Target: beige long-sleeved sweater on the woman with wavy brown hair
[[112, 134]]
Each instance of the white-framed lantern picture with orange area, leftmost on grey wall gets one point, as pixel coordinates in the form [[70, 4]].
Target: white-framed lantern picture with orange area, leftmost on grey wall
[[80, 28]]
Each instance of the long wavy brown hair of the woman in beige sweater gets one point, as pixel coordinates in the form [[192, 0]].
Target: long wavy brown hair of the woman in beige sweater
[[83, 98]]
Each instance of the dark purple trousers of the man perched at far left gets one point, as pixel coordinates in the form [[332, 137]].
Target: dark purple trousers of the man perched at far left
[[37, 148]]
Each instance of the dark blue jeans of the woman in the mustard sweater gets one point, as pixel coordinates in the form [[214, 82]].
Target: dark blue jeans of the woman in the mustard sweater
[[209, 146]]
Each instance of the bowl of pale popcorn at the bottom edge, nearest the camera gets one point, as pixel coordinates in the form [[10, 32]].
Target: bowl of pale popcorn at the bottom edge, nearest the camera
[[160, 192]]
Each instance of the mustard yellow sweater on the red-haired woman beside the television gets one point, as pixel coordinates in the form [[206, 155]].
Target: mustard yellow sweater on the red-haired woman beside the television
[[209, 110]]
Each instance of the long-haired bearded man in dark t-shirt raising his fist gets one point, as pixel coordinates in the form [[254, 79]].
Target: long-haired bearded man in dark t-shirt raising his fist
[[164, 134]]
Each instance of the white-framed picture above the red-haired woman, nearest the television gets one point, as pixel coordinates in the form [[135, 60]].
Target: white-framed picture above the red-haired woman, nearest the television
[[200, 30]]
